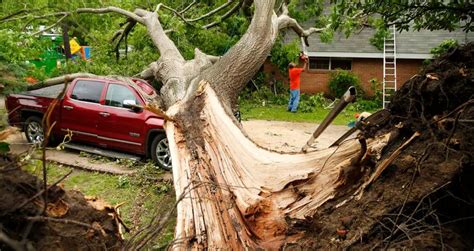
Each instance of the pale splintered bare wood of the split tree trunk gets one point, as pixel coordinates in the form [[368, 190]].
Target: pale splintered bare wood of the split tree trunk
[[236, 194]]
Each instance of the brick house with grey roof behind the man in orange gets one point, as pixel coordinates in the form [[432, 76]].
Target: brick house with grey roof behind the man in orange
[[365, 60]]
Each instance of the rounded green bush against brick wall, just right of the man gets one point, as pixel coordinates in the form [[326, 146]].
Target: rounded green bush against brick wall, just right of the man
[[341, 80]]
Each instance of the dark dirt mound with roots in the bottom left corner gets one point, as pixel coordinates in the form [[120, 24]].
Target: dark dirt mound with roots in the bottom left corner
[[70, 220]]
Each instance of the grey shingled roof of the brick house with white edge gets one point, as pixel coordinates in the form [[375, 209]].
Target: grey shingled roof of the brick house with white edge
[[410, 44]]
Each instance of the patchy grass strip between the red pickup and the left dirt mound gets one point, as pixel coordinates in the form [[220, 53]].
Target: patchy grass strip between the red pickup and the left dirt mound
[[142, 197]]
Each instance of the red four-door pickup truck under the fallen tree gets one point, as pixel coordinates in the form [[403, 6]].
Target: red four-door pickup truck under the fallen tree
[[105, 113]]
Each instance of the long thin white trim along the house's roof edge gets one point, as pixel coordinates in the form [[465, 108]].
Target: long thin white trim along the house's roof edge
[[368, 55]]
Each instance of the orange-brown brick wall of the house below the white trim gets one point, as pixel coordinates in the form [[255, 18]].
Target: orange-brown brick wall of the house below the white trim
[[314, 81]]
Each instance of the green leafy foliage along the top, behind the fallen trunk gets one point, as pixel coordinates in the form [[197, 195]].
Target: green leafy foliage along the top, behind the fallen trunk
[[211, 26]]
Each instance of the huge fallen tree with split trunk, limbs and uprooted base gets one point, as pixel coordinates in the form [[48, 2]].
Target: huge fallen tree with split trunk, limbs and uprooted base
[[234, 194]]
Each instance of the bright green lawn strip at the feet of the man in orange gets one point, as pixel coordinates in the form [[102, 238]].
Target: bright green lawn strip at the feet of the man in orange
[[279, 112]]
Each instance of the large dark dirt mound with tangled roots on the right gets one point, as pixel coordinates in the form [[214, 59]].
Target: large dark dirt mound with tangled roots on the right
[[425, 198]]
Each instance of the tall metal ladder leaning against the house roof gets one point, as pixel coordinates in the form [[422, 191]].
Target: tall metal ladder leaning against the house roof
[[389, 66]]
